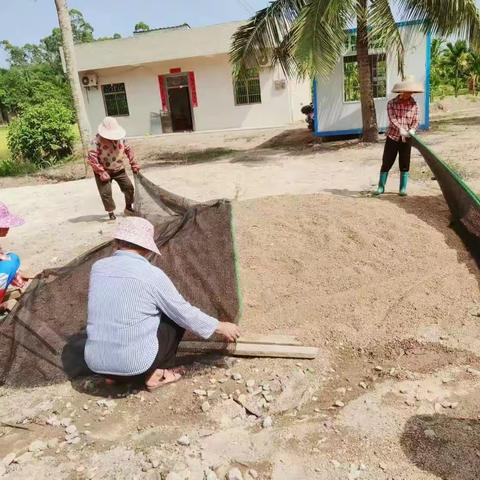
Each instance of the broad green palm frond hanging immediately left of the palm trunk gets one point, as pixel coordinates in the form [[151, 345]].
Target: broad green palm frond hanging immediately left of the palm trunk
[[319, 34]]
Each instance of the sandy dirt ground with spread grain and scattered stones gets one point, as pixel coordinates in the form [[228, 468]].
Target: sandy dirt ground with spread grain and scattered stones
[[384, 287]]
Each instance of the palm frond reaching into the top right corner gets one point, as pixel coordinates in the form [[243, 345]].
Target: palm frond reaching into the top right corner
[[445, 17]]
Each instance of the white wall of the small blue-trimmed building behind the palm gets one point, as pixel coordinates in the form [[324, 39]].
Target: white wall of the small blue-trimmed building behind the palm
[[335, 116]]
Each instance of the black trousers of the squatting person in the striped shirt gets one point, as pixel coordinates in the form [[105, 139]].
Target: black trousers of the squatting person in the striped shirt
[[169, 335]]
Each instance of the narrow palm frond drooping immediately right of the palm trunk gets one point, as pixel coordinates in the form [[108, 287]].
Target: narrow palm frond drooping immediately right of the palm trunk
[[385, 30]]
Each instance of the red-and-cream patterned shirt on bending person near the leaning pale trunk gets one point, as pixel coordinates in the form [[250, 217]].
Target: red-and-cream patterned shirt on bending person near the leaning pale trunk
[[108, 155]]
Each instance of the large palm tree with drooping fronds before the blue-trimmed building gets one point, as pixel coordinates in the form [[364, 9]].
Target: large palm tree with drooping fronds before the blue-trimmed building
[[308, 37]]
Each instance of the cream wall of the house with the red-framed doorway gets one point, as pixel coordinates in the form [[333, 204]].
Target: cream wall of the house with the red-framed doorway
[[216, 104]]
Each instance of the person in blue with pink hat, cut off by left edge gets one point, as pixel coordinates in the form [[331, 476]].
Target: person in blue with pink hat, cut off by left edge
[[9, 262]]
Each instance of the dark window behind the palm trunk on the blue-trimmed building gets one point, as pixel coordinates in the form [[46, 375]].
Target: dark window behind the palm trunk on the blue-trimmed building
[[351, 83]]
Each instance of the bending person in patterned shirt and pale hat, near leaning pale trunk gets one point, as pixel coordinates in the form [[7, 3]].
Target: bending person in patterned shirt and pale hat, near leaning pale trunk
[[106, 157]]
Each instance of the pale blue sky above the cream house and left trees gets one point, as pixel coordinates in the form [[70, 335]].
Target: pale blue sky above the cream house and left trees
[[27, 21]]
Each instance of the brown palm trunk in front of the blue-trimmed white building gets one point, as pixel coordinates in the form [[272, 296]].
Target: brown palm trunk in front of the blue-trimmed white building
[[369, 115]]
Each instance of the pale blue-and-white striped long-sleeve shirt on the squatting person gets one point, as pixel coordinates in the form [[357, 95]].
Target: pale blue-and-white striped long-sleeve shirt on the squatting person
[[127, 297]]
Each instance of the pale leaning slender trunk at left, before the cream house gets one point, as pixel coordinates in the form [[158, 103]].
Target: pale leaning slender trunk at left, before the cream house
[[72, 73]]
